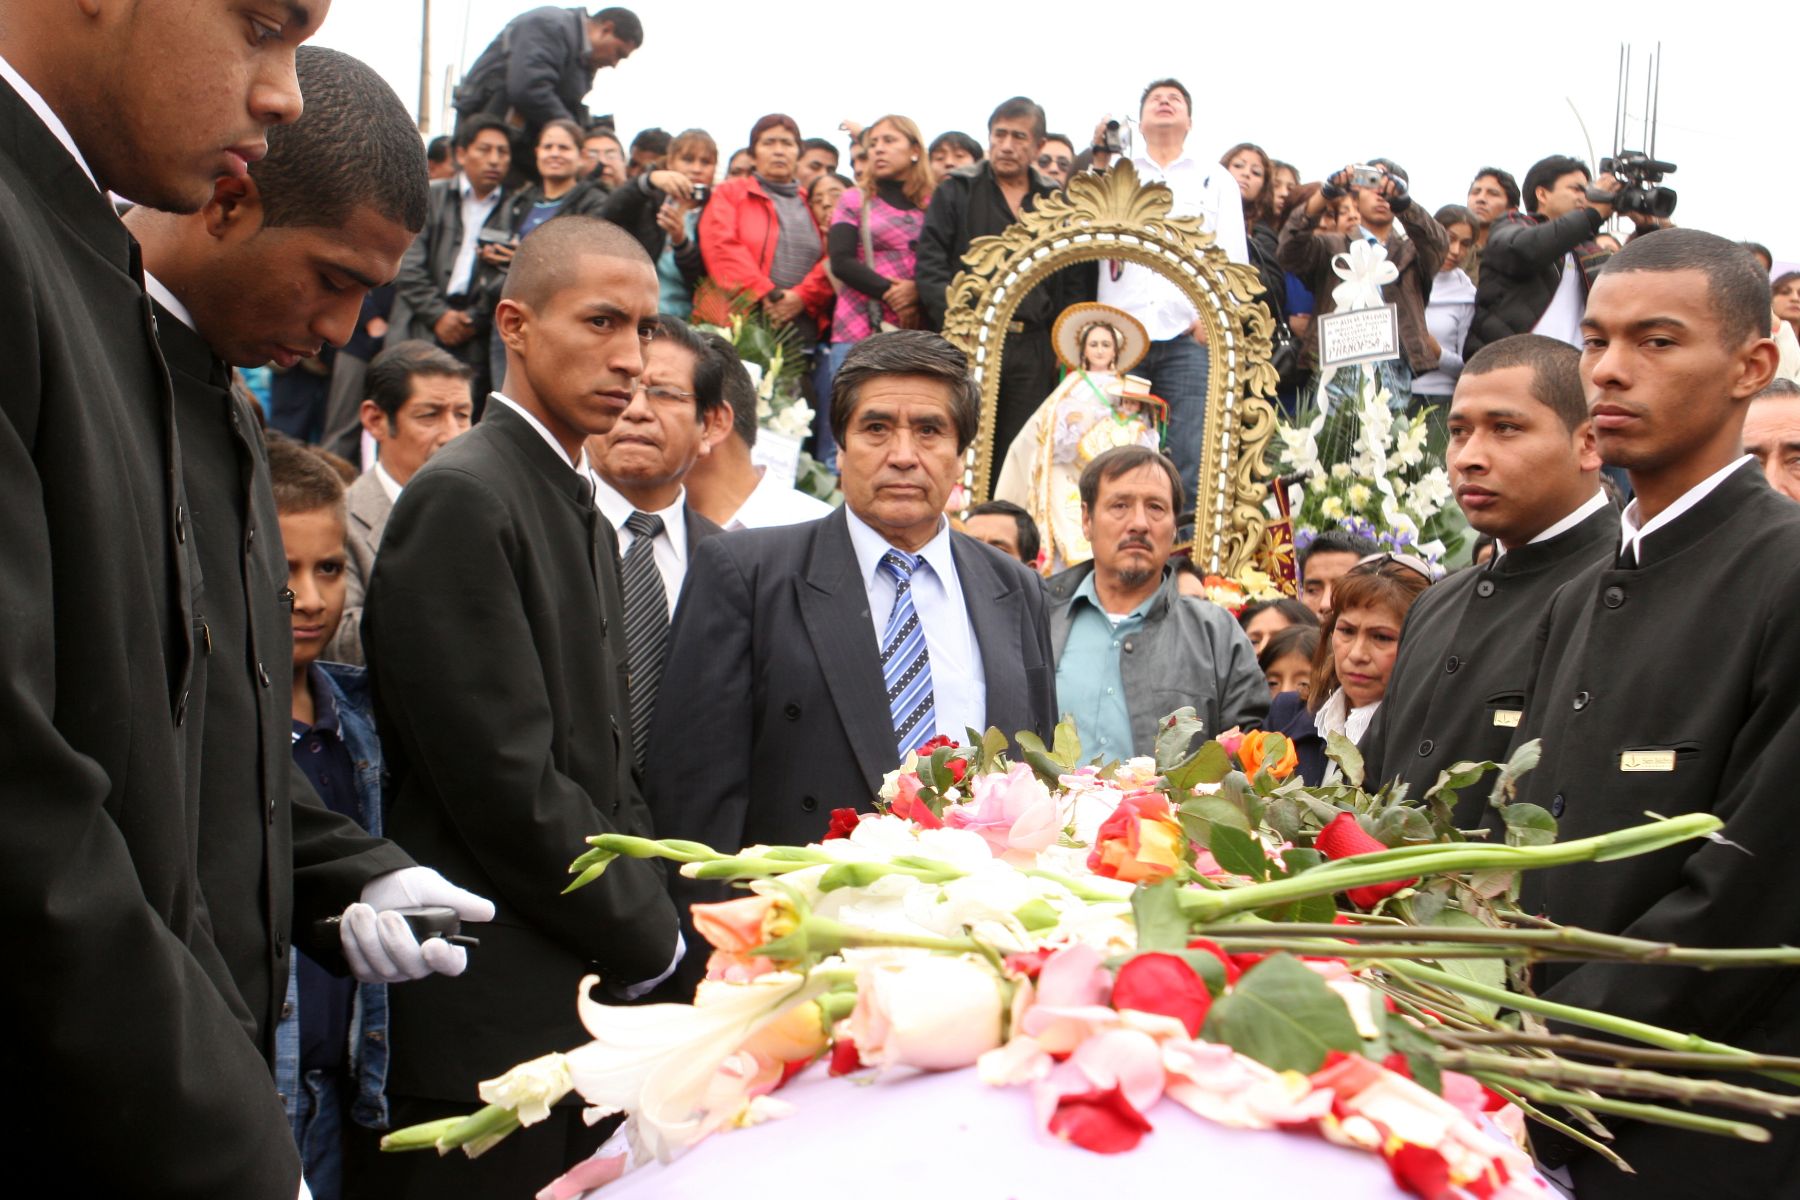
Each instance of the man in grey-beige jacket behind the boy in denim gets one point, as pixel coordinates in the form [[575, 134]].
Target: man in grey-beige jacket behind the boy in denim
[[417, 402]]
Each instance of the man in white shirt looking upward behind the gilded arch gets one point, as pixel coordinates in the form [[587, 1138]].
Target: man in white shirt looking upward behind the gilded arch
[[1178, 364]]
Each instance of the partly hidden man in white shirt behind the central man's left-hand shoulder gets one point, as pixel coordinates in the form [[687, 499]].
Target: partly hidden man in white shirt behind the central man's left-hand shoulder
[[726, 487]]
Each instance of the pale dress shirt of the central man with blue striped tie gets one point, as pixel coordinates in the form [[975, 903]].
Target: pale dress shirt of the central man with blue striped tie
[[957, 676]]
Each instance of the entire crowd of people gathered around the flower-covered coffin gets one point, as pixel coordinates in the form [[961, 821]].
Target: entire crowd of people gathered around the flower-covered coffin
[[292, 713]]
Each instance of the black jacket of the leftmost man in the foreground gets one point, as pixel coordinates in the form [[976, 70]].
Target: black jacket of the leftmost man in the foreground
[[116, 994]]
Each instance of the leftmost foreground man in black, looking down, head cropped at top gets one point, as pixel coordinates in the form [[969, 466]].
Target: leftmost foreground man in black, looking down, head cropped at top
[[125, 1012]]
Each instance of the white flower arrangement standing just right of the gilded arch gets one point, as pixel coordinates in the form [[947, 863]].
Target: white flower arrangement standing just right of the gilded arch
[[1367, 469]]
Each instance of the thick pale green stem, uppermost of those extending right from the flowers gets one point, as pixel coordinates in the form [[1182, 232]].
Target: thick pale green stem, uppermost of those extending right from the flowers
[[1439, 859]]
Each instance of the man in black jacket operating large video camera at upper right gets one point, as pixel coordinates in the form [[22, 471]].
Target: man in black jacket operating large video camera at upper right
[[1540, 264]]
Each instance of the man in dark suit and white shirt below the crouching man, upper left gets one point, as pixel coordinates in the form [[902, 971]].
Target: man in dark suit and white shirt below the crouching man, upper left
[[449, 280]]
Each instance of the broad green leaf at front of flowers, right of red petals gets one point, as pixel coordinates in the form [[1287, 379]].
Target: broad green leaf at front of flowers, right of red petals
[[1282, 1016]]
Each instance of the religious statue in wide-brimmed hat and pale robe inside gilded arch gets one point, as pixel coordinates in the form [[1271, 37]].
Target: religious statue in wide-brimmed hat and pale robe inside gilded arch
[[1095, 409]]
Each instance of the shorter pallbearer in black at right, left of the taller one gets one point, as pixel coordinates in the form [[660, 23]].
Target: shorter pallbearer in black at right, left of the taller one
[[1527, 474]]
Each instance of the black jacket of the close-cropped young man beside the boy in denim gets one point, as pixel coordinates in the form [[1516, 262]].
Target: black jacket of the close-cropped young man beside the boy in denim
[[496, 641]]
